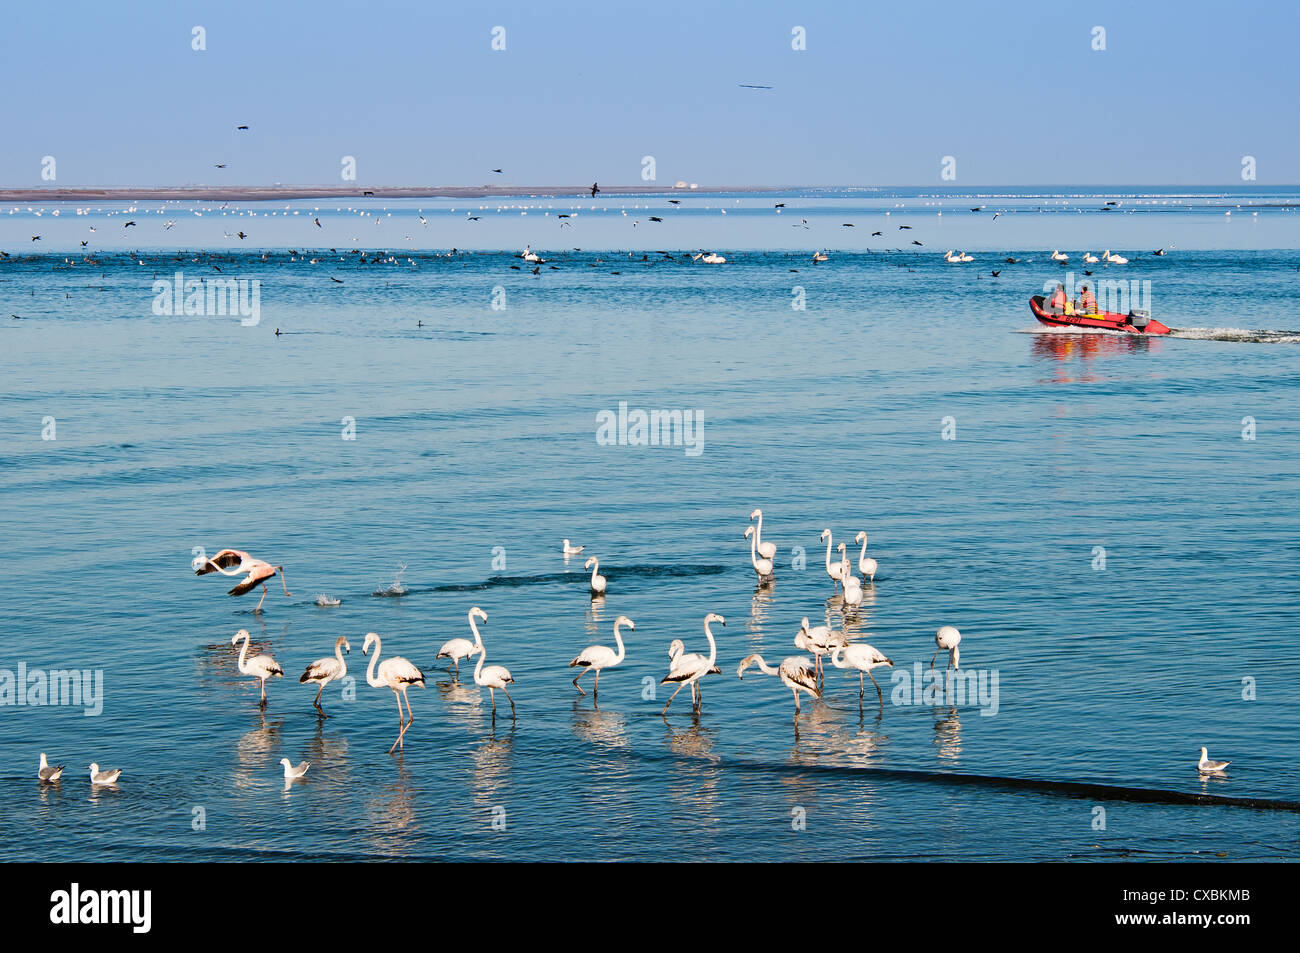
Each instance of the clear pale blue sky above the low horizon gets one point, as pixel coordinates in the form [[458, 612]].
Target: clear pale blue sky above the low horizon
[[1013, 92]]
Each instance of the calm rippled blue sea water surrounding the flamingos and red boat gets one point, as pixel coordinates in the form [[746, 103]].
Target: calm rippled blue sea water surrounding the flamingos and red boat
[[475, 441]]
